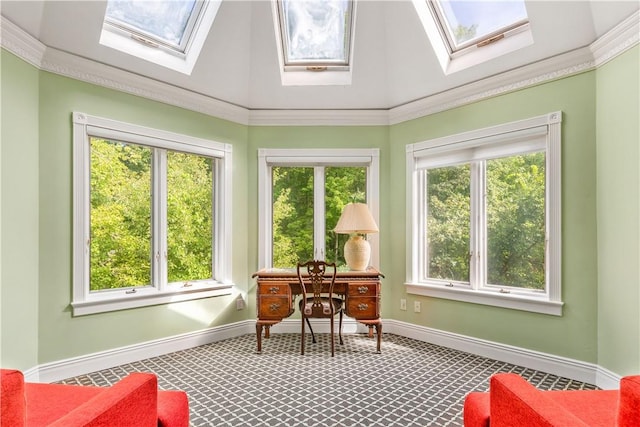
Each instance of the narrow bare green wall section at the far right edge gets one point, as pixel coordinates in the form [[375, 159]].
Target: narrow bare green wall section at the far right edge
[[618, 195]]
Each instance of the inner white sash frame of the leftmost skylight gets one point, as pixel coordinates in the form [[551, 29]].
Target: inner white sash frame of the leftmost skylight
[[144, 36]]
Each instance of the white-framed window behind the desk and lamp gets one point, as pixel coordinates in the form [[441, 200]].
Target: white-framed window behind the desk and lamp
[[301, 195]]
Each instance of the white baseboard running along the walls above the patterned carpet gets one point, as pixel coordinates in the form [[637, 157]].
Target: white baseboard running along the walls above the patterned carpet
[[562, 366]]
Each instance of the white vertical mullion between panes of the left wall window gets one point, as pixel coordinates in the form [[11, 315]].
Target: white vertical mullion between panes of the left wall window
[[159, 219]]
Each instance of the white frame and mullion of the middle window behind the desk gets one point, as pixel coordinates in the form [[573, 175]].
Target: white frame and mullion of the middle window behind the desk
[[268, 158]]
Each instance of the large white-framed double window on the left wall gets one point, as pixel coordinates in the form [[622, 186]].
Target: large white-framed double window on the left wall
[[151, 210]]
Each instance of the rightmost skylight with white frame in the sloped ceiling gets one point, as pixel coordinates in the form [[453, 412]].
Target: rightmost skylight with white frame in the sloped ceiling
[[466, 33]]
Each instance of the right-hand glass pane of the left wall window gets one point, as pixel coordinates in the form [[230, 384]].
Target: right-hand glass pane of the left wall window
[[189, 217]]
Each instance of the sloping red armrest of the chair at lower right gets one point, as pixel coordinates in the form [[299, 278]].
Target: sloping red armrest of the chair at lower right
[[515, 402]]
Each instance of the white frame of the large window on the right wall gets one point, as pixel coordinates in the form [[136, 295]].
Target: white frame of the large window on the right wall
[[521, 136]]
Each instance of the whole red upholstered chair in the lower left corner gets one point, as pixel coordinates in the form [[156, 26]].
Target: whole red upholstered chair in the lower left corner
[[134, 401]]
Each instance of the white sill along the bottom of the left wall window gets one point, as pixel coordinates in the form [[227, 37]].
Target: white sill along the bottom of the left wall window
[[122, 301]]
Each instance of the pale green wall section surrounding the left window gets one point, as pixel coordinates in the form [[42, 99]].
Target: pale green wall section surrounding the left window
[[60, 335]]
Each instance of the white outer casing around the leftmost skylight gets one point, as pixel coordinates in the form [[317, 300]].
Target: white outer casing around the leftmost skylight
[[146, 48]]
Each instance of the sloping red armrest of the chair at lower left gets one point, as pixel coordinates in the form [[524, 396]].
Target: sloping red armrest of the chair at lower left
[[131, 402]]
